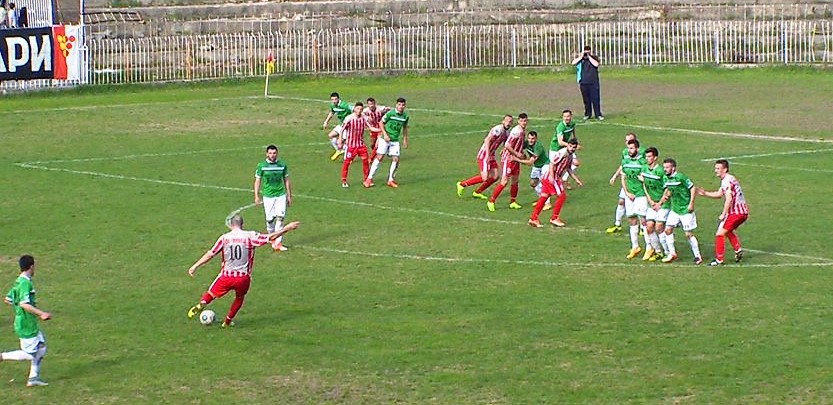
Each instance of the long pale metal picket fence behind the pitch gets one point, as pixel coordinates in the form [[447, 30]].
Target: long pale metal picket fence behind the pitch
[[459, 47]]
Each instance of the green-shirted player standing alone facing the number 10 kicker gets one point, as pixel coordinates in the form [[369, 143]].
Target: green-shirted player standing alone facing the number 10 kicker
[[272, 180]]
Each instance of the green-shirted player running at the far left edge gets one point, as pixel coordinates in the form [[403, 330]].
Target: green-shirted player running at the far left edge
[[26, 316]]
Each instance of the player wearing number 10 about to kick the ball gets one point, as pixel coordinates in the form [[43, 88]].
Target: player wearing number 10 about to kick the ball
[[237, 249]]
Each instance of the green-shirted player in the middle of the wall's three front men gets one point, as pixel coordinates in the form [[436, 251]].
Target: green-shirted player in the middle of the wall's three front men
[[652, 182]]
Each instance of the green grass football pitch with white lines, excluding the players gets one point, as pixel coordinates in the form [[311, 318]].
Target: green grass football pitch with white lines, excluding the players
[[414, 295]]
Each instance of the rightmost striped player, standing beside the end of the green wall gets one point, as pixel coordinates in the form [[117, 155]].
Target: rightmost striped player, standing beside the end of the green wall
[[735, 211]]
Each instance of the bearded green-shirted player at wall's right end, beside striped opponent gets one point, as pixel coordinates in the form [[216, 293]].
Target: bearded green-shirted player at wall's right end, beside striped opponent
[[680, 191]]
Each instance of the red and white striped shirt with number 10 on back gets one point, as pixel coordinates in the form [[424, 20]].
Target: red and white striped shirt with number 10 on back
[[238, 251]]
